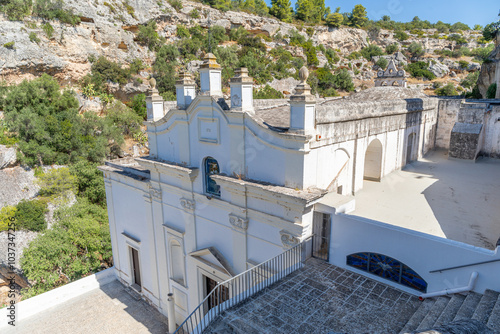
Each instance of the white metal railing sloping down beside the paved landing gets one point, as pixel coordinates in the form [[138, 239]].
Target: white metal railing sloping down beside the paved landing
[[239, 288]]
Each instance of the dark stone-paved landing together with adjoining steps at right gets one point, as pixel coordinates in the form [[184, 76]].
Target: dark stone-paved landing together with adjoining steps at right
[[324, 299]]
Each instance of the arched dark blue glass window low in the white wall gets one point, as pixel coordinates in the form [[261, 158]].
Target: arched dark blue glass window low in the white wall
[[388, 268]]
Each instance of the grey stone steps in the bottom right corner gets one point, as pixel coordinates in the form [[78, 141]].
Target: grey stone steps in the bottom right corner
[[436, 312]]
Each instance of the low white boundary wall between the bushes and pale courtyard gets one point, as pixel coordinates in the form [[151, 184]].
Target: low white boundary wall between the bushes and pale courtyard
[[40, 303]]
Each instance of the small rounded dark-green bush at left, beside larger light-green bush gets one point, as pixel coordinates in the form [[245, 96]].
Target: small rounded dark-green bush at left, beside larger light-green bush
[[30, 215]]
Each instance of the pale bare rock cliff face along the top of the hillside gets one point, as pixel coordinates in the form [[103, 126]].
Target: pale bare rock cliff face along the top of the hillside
[[110, 30]]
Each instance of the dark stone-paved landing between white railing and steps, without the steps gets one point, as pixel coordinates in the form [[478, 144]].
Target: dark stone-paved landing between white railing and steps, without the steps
[[320, 298]]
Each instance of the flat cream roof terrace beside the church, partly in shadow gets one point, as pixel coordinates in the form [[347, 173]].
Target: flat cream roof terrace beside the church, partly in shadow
[[454, 199]]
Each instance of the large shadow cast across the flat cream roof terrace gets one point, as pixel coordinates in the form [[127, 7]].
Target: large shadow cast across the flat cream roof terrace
[[464, 198]]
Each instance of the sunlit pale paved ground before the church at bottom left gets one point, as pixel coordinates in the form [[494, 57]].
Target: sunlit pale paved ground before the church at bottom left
[[110, 309]]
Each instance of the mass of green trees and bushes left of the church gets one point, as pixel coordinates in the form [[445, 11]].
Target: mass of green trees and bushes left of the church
[[45, 124]]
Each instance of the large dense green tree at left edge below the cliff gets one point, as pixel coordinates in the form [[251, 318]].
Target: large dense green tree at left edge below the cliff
[[49, 128]]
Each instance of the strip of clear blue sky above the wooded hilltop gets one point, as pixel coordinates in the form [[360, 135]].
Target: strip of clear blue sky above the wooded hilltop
[[470, 12]]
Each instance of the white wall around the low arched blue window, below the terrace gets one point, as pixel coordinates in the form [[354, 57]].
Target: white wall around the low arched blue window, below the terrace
[[419, 251]]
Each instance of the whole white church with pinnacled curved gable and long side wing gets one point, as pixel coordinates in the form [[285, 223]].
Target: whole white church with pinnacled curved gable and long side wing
[[230, 184]]
